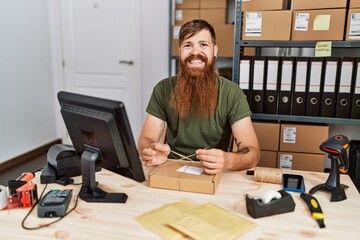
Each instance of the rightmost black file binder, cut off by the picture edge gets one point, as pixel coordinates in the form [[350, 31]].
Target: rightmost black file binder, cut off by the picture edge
[[355, 103]]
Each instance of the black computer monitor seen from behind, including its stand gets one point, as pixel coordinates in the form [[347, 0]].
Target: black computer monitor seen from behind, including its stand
[[100, 132]]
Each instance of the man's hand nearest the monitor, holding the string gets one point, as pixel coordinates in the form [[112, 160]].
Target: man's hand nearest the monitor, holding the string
[[156, 154]]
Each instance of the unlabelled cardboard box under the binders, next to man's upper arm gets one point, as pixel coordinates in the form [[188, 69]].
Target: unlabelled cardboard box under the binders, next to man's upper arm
[[268, 135]]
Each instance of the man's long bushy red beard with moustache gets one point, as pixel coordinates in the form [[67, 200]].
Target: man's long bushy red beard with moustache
[[196, 89]]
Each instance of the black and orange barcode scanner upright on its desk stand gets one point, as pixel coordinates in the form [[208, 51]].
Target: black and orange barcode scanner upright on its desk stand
[[336, 147]]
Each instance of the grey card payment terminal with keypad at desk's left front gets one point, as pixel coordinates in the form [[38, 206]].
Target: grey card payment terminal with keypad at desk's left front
[[54, 203]]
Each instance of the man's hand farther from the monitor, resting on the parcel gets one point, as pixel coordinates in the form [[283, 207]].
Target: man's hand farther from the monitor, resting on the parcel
[[213, 160]]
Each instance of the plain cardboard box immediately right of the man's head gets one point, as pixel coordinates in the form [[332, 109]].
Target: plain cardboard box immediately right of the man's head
[[224, 39]]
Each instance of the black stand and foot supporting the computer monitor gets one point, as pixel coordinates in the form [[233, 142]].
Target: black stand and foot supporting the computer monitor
[[90, 192]]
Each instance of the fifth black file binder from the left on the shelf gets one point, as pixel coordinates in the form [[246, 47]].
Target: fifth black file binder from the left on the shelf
[[299, 88]]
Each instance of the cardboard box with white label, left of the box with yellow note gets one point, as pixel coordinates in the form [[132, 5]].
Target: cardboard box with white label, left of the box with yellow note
[[267, 25]]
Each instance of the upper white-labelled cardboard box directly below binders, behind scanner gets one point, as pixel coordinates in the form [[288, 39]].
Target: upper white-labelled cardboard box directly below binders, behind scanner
[[303, 138]]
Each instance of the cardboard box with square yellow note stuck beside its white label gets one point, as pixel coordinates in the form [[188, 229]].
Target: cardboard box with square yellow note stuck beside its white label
[[328, 24]]
